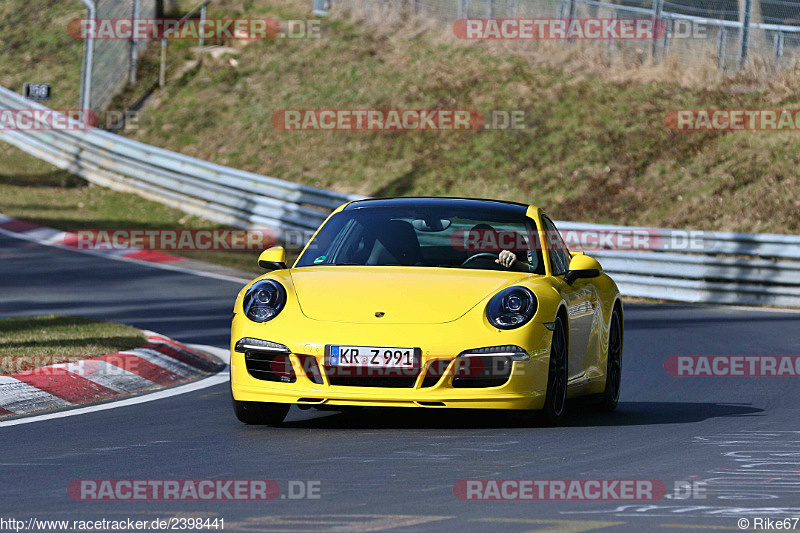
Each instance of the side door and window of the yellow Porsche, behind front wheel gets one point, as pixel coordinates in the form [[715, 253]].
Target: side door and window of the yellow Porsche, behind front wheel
[[580, 299]]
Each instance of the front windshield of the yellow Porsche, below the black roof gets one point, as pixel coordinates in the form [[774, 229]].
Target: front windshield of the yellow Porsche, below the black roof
[[425, 237]]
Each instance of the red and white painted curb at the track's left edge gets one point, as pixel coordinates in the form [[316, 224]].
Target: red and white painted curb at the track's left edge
[[161, 362]]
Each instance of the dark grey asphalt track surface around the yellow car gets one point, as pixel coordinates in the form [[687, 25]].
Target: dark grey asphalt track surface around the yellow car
[[395, 469]]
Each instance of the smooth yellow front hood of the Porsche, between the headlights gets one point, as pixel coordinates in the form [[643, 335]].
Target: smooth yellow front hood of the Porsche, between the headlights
[[405, 295]]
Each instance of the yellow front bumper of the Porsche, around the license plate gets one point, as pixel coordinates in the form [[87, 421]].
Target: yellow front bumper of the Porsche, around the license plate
[[439, 345]]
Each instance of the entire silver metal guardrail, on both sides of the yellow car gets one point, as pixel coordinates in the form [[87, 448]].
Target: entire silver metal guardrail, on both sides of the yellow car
[[733, 268]]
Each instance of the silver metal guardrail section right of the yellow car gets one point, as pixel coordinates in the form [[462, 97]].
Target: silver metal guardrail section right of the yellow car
[[724, 267]]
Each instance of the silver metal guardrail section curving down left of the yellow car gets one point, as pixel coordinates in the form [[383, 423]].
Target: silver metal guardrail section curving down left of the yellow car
[[218, 193]]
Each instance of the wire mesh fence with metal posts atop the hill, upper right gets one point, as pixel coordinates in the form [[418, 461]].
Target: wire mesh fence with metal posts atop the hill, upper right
[[727, 33]]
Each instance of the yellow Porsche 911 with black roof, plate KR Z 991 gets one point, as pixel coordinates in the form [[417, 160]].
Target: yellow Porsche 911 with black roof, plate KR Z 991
[[428, 303]]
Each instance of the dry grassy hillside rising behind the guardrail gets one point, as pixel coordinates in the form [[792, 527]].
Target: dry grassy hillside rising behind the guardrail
[[595, 147]]
